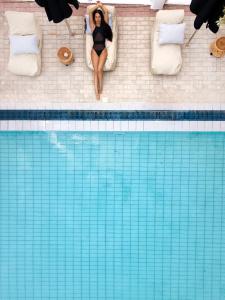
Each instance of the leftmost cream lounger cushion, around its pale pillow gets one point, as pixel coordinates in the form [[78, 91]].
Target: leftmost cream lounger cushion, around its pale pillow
[[21, 23]]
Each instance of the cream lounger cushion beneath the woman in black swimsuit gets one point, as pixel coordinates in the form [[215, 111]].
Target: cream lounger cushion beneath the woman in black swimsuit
[[110, 63]]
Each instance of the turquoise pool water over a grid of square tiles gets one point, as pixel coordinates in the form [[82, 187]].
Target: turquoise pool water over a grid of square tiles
[[112, 216]]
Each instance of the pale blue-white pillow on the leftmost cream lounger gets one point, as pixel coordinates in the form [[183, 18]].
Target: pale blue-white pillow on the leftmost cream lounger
[[23, 44]]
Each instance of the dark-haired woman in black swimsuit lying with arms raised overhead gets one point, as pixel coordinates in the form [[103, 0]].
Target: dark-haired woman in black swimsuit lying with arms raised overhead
[[99, 18]]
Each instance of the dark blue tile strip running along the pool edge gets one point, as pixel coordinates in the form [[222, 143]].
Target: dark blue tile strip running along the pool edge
[[151, 115]]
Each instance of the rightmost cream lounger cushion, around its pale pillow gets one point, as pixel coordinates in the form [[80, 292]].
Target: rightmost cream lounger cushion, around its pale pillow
[[166, 59]]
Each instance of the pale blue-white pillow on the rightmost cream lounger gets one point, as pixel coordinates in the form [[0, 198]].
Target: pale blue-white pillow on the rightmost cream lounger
[[171, 33]]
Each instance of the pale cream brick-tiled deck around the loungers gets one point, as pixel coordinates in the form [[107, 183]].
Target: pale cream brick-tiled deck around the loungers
[[201, 81]]
